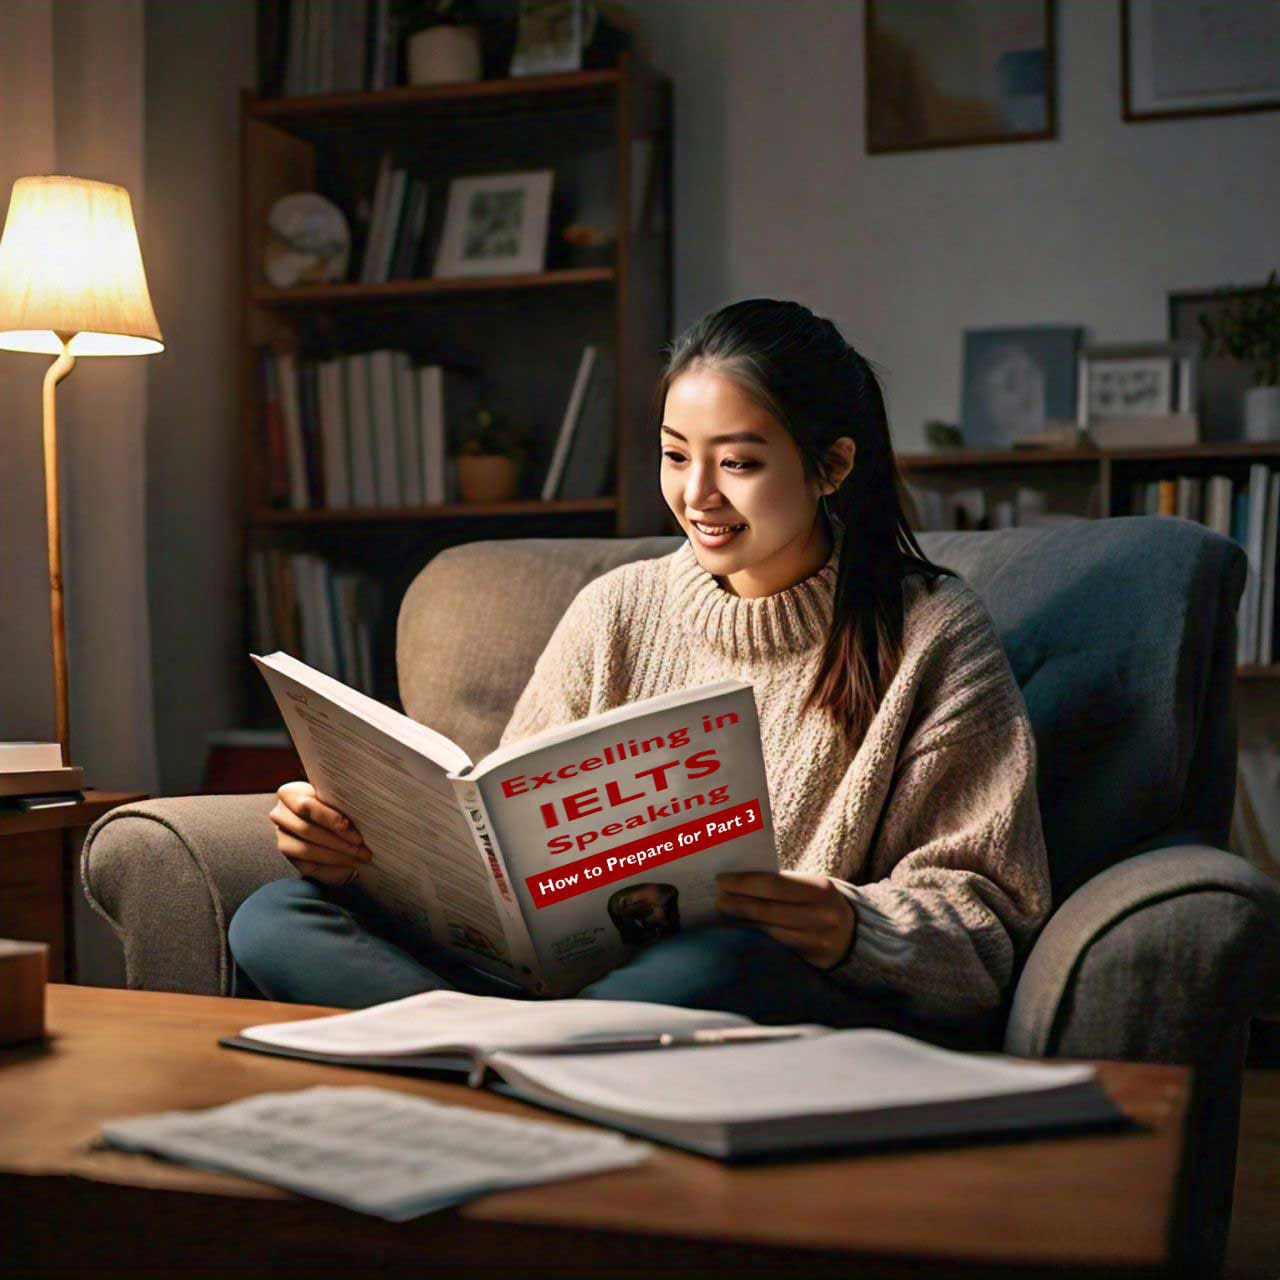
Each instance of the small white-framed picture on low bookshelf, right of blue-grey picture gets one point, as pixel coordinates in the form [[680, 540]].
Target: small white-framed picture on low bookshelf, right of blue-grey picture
[[1140, 395]]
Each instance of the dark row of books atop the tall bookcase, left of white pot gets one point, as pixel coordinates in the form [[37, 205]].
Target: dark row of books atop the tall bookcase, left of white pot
[[332, 47]]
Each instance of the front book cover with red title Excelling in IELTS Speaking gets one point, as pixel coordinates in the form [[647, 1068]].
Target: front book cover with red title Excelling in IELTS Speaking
[[614, 829]]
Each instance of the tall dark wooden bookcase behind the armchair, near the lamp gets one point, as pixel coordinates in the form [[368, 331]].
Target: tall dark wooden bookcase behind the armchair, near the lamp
[[523, 335]]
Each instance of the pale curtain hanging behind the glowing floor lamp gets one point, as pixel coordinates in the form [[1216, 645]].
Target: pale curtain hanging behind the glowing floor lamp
[[72, 102]]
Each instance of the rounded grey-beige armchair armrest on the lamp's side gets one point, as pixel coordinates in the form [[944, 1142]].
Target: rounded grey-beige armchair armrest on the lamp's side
[[170, 875]]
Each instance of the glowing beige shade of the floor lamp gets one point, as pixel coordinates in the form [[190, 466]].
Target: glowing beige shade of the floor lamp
[[71, 264]]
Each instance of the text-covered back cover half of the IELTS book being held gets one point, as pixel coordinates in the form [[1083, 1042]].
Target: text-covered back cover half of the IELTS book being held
[[391, 780]]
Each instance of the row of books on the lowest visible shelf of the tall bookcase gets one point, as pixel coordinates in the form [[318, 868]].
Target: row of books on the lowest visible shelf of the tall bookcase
[[303, 605]]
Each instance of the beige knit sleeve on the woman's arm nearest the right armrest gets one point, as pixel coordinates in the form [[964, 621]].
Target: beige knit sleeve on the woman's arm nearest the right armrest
[[961, 852]]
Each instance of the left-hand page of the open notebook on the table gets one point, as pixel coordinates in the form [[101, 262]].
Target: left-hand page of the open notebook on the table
[[452, 1022]]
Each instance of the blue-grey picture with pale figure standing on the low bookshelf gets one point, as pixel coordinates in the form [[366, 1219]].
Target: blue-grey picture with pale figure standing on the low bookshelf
[[1017, 382]]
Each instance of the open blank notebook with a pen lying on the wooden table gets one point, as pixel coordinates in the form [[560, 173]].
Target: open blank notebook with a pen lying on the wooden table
[[724, 1086]]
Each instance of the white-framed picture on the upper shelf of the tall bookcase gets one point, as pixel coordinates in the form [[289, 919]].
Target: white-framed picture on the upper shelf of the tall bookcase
[[496, 225]]
